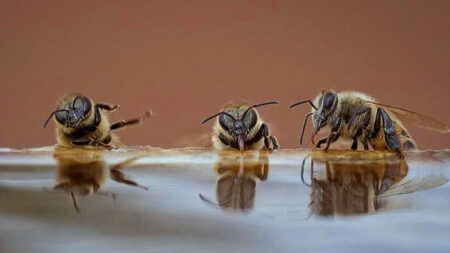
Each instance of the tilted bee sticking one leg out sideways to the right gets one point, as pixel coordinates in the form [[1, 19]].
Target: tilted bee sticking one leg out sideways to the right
[[81, 122]]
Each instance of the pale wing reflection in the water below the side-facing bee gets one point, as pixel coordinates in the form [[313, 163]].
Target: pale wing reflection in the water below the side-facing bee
[[415, 184]]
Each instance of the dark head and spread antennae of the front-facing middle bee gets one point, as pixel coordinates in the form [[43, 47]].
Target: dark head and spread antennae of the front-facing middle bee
[[238, 125]]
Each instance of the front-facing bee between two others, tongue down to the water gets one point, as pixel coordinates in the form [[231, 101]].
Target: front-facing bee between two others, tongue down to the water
[[239, 126]]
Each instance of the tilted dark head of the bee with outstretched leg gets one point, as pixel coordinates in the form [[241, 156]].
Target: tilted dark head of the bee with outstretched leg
[[72, 113]]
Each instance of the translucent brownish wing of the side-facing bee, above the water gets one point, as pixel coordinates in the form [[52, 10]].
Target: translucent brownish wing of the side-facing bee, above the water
[[415, 118]]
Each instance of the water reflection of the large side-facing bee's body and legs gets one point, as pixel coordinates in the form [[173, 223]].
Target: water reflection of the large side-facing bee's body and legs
[[345, 187]]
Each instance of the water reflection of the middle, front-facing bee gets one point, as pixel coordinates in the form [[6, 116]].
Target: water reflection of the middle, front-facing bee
[[237, 175]]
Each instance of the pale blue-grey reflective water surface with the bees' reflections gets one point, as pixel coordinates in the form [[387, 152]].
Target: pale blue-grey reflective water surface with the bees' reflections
[[191, 200]]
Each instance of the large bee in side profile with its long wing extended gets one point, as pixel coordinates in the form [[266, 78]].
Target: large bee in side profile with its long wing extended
[[358, 117]]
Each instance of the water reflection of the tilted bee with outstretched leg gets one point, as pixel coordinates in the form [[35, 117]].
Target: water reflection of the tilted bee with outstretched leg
[[80, 173]]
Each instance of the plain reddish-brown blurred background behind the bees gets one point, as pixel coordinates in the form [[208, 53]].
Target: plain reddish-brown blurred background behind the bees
[[185, 59]]
